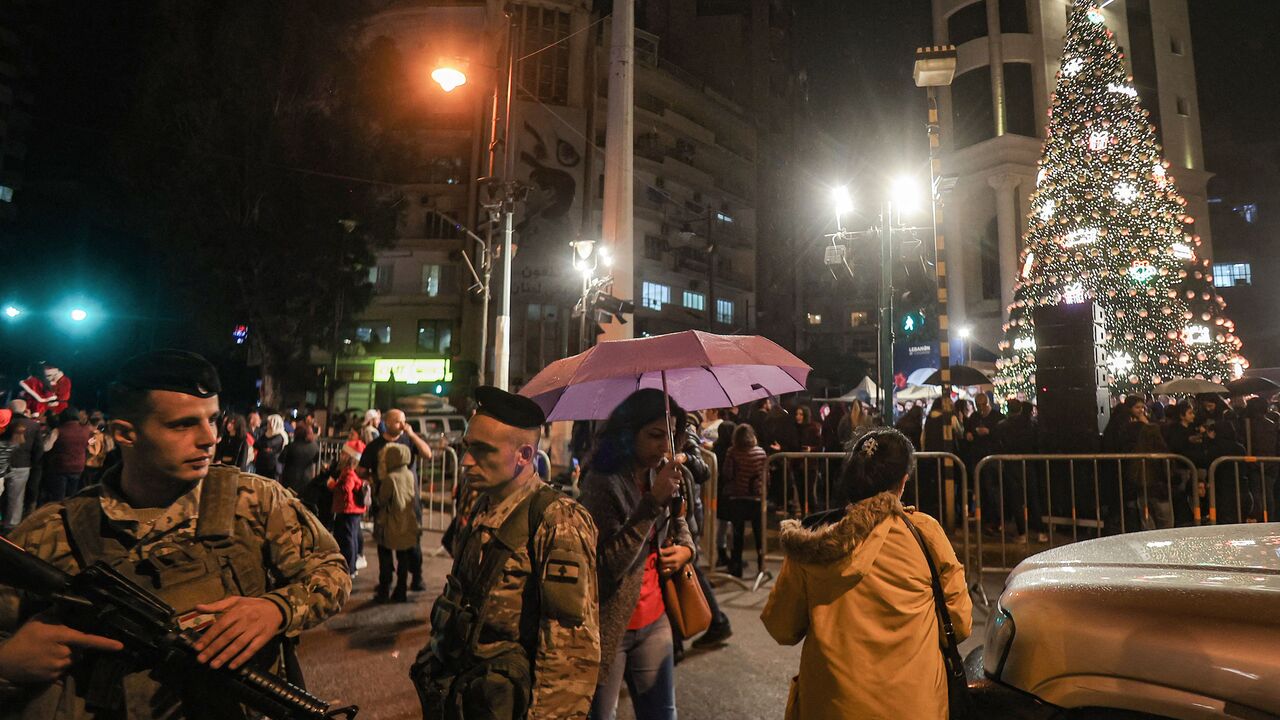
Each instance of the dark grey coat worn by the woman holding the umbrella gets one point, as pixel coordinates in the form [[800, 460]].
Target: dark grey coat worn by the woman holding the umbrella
[[625, 518]]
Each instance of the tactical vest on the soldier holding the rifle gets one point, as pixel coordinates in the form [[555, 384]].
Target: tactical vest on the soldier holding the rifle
[[223, 559]]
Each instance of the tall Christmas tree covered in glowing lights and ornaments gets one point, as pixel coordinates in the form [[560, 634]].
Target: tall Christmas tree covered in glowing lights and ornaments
[[1108, 225]]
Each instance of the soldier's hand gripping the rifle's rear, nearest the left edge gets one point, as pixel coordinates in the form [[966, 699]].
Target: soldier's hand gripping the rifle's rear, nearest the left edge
[[42, 651]]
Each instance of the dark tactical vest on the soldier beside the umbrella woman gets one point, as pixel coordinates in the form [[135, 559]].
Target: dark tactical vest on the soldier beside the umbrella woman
[[452, 680]]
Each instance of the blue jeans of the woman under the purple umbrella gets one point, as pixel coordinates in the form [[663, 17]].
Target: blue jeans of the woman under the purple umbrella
[[647, 660]]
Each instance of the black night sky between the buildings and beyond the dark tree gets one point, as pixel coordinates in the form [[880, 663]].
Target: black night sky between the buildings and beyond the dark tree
[[857, 54]]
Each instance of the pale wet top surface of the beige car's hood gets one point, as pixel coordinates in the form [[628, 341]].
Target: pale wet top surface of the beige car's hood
[[1246, 548]]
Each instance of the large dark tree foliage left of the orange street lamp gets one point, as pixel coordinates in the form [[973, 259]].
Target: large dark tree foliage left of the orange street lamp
[[250, 127]]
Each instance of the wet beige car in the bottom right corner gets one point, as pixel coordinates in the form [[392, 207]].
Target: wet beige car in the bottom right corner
[[1181, 623]]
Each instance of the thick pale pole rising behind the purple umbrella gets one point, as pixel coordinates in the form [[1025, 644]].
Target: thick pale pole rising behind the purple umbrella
[[620, 157]]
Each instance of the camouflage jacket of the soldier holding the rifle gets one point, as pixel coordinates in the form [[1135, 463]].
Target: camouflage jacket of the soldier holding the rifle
[[307, 576]]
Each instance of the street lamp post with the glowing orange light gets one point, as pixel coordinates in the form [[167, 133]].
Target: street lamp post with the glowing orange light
[[451, 75]]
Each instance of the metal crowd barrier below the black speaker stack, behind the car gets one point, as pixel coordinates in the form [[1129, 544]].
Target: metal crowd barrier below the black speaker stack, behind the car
[[1100, 495]]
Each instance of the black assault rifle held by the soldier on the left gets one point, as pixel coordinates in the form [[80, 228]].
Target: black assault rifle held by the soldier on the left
[[104, 603]]
